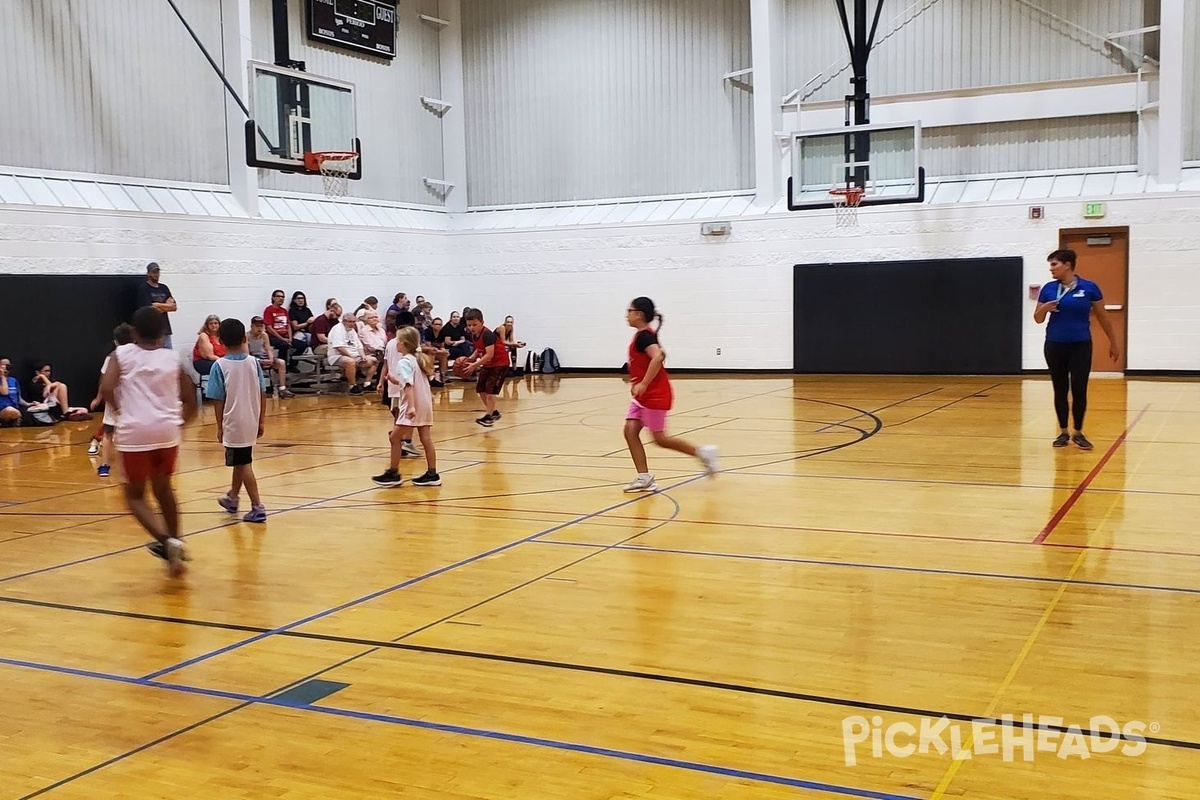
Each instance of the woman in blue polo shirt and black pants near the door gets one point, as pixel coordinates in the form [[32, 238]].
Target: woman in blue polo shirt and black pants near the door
[[1071, 302]]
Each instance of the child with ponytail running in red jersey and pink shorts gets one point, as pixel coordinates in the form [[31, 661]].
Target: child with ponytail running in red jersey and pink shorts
[[651, 388]]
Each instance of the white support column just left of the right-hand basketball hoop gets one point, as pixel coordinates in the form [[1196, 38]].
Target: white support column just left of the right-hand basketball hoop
[[767, 57]]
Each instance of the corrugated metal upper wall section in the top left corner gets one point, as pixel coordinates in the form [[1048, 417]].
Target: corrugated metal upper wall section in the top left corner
[[116, 88]]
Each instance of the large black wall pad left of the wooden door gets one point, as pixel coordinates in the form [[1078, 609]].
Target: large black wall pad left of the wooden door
[[935, 317]]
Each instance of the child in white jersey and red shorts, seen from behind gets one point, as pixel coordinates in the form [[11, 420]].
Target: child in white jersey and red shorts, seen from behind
[[147, 390]]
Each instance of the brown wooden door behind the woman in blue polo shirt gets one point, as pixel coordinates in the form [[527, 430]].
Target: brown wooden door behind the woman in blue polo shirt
[[1103, 257]]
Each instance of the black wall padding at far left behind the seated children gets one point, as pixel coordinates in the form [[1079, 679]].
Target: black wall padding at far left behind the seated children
[[65, 320]]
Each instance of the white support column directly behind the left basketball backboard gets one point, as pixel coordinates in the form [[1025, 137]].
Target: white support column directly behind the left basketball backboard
[[237, 47]]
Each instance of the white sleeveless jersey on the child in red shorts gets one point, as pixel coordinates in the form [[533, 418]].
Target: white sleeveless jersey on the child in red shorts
[[151, 414]]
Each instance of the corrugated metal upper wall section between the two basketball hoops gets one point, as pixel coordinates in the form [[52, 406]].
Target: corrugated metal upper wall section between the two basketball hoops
[[581, 100]]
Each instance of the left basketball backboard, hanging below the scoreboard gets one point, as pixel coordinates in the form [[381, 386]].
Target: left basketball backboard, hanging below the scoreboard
[[296, 113]]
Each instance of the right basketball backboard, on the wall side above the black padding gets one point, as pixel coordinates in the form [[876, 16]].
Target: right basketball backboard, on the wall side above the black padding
[[881, 160]]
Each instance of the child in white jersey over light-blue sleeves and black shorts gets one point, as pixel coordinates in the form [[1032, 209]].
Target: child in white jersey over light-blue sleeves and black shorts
[[236, 386]]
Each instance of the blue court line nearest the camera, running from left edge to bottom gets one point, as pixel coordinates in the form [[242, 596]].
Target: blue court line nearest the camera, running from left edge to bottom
[[483, 733]]
